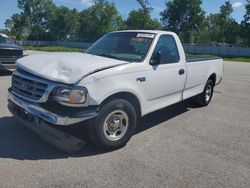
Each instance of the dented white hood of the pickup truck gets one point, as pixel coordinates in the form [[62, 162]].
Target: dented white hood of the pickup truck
[[65, 67]]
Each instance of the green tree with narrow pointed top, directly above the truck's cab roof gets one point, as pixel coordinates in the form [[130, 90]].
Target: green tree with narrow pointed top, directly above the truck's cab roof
[[141, 19]]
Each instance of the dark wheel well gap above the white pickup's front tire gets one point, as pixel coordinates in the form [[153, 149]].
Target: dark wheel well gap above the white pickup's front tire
[[131, 98]]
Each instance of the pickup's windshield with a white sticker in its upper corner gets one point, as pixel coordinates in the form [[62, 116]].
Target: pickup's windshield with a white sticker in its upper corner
[[127, 46]]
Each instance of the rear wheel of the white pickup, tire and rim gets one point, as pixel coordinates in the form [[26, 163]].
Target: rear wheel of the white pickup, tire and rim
[[206, 96]]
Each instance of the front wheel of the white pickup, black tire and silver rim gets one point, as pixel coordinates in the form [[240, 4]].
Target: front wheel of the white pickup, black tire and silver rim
[[114, 125]]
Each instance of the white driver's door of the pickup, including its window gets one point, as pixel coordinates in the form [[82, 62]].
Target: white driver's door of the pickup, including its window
[[166, 79]]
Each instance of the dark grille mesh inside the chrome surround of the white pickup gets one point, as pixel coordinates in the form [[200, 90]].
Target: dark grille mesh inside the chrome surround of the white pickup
[[28, 88]]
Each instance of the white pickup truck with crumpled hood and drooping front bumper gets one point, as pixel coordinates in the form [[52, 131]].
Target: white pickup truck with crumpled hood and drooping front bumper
[[122, 77]]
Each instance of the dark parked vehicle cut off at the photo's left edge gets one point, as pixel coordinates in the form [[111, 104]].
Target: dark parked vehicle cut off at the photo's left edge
[[9, 52]]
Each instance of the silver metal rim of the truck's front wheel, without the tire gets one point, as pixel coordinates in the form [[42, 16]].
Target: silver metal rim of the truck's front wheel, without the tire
[[115, 125]]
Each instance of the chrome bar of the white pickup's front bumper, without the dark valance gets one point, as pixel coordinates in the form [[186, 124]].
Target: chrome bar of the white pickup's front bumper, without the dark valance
[[49, 117]]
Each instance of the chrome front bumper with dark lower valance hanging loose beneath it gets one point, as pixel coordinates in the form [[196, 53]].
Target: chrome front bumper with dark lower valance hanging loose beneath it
[[43, 123]]
